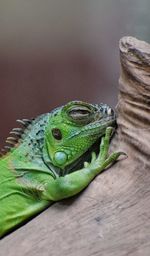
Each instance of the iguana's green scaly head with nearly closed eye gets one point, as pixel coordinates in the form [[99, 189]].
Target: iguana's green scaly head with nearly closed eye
[[73, 129]]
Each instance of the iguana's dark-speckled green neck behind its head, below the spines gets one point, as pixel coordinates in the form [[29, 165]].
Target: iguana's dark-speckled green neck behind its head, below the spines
[[29, 148]]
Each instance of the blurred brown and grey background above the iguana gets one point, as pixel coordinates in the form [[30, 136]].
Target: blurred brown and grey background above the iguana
[[54, 51]]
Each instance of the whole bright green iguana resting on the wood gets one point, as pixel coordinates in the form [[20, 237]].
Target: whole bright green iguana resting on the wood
[[47, 159]]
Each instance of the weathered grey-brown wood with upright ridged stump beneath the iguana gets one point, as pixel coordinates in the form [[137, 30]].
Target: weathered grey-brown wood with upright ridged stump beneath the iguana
[[112, 216]]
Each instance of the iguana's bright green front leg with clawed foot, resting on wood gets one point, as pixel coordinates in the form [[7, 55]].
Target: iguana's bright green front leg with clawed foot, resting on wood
[[71, 184]]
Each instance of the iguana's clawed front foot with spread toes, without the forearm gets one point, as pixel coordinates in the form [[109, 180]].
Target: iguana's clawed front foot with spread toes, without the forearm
[[102, 161]]
